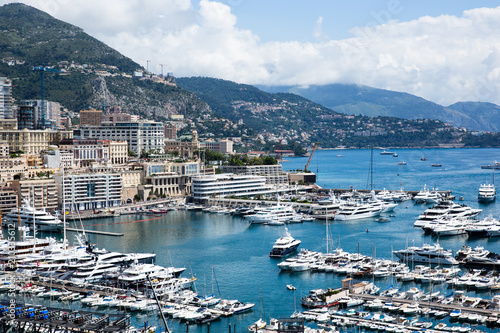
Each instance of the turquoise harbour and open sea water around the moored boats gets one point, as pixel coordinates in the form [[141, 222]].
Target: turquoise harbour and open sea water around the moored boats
[[239, 254]]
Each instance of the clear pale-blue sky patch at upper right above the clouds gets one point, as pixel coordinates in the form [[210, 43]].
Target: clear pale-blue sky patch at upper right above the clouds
[[282, 20]]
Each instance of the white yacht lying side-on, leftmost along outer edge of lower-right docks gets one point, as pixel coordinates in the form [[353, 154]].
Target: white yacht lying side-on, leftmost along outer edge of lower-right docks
[[433, 254]]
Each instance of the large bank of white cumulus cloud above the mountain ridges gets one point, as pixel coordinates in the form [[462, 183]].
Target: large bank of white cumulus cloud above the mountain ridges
[[444, 59]]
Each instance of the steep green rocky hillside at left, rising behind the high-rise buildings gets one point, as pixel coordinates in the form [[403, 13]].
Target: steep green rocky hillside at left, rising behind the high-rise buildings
[[84, 71]]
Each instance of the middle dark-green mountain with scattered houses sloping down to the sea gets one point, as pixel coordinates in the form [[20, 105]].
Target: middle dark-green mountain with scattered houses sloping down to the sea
[[291, 117]]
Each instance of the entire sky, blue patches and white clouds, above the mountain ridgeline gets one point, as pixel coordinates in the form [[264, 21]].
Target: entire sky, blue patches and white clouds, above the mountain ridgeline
[[445, 51]]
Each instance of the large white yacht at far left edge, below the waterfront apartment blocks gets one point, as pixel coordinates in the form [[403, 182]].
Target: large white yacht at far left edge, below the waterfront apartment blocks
[[26, 215]]
